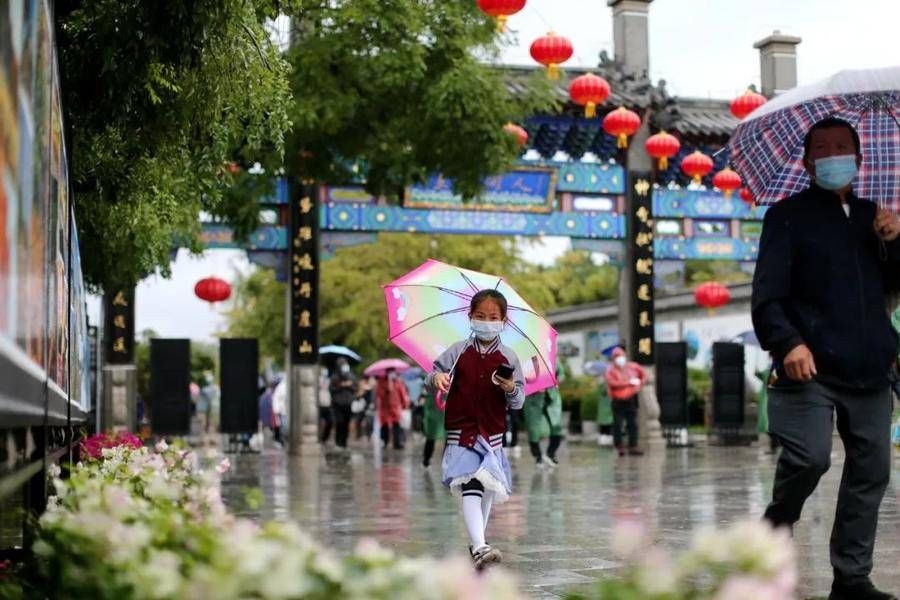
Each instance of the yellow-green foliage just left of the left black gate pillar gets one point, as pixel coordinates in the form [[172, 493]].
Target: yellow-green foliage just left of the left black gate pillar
[[258, 312]]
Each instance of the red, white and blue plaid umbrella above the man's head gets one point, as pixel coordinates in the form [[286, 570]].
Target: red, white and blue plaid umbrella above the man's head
[[767, 147]]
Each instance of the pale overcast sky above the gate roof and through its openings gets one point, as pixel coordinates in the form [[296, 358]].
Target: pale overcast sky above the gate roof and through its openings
[[700, 47]]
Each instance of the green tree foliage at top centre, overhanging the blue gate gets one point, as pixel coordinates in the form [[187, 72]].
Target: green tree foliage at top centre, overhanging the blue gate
[[400, 88]]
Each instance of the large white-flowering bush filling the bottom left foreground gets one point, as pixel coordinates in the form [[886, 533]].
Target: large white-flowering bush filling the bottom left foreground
[[136, 523]]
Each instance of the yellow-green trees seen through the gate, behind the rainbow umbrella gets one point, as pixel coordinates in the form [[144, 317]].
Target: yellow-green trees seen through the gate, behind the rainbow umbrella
[[352, 302]]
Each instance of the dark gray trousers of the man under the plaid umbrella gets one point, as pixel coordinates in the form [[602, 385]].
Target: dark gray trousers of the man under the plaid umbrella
[[801, 418]]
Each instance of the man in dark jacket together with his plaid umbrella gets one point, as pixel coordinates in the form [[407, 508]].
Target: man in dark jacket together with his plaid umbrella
[[827, 259]]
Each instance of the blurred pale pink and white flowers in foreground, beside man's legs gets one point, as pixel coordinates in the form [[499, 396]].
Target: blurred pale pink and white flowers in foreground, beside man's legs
[[747, 561]]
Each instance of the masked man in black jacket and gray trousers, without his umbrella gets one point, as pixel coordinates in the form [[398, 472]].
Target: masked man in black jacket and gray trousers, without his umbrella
[[826, 261]]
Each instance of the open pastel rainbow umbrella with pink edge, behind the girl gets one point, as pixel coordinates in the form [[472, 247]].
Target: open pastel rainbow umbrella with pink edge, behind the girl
[[428, 310]]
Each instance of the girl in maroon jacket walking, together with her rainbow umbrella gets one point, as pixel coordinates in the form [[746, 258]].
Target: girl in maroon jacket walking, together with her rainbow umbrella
[[473, 329]]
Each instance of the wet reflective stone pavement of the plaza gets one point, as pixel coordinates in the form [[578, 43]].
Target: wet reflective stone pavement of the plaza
[[554, 531]]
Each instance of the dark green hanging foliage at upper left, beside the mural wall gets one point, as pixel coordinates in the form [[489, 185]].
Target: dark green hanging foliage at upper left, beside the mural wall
[[158, 96]]
